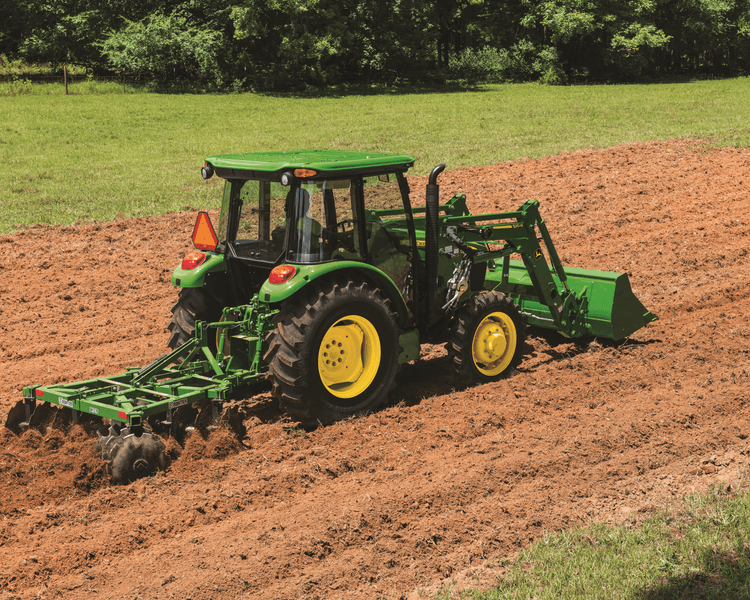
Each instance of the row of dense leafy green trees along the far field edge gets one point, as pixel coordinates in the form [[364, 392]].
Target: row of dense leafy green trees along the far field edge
[[295, 44]]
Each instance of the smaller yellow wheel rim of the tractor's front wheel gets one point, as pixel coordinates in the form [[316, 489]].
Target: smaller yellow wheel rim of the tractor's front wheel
[[494, 344]]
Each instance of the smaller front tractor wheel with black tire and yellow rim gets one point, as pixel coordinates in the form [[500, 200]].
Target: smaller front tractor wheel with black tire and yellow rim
[[487, 339]]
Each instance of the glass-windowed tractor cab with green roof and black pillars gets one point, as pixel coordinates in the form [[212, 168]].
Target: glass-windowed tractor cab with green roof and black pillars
[[353, 210]]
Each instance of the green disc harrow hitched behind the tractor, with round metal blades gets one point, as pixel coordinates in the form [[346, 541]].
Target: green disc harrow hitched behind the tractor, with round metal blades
[[179, 392]]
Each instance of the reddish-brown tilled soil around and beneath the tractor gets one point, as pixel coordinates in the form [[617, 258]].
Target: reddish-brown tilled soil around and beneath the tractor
[[447, 481]]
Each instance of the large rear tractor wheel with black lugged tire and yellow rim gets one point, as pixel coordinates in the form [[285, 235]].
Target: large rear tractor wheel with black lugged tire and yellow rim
[[333, 353]]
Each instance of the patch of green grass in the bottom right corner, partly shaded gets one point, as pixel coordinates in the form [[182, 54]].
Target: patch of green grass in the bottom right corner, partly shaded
[[698, 550]]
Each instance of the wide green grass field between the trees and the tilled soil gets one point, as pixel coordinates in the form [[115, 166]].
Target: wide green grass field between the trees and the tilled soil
[[96, 157]]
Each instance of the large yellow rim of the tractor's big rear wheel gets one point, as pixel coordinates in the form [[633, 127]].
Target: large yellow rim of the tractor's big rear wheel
[[349, 356]]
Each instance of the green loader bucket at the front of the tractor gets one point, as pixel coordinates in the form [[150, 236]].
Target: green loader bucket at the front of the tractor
[[610, 309]]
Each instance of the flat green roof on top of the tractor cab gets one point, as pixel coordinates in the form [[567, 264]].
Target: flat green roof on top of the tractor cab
[[252, 164]]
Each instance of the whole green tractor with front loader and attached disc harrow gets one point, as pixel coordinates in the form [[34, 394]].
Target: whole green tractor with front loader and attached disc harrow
[[322, 277]]
